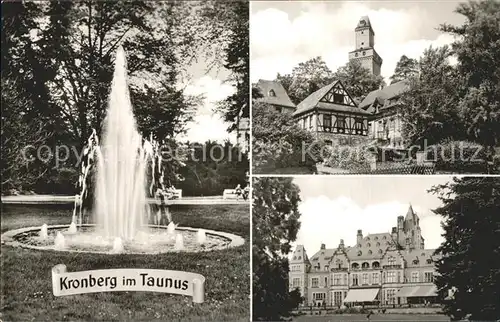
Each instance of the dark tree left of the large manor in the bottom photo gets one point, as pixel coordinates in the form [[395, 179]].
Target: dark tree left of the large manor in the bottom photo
[[275, 226]]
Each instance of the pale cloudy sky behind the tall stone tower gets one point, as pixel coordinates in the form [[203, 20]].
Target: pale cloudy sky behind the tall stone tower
[[285, 33]]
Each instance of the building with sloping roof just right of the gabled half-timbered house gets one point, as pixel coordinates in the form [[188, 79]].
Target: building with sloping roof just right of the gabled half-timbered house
[[385, 121]]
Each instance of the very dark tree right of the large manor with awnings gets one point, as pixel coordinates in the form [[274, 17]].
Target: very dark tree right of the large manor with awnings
[[469, 265]]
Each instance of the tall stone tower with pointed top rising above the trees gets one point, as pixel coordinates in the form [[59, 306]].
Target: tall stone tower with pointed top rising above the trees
[[365, 42]]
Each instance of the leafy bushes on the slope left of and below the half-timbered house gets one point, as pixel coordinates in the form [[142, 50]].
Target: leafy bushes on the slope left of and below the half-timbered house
[[279, 142]]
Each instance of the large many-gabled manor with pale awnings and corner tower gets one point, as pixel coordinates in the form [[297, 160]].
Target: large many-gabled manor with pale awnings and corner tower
[[381, 269]]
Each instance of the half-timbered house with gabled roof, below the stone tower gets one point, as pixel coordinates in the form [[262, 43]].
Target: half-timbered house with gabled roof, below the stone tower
[[333, 116]]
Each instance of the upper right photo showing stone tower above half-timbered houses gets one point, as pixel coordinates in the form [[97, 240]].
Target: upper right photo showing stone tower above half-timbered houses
[[375, 87]]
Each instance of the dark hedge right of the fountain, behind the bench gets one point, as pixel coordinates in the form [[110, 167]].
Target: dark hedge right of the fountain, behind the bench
[[212, 167]]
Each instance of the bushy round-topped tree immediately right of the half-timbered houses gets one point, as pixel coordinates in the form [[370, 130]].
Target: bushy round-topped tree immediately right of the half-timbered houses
[[429, 108]]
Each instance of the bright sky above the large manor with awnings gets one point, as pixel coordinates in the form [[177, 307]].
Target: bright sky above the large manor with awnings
[[335, 207]]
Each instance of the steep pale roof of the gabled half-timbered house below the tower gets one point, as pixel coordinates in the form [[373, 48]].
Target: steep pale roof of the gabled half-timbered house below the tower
[[313, 101]]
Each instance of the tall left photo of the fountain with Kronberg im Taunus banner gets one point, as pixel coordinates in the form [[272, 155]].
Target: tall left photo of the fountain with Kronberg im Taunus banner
[[125, 168]]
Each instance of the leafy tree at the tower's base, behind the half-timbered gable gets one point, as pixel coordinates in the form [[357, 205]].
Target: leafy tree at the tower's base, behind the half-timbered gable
[[358, 80]]
